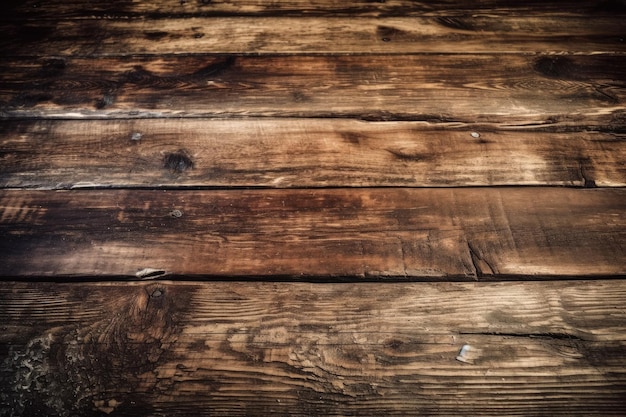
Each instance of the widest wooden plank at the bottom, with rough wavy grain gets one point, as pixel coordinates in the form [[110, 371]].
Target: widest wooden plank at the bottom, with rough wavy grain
[[241, 348]]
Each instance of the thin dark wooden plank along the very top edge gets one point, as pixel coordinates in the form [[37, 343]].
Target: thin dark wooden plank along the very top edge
[[63, 9]]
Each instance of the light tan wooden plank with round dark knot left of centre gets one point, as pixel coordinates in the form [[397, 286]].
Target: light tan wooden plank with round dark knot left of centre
[[301, 153]]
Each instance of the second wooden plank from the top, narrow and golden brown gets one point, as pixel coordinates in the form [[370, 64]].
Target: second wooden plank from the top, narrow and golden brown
[[307, 35]]
